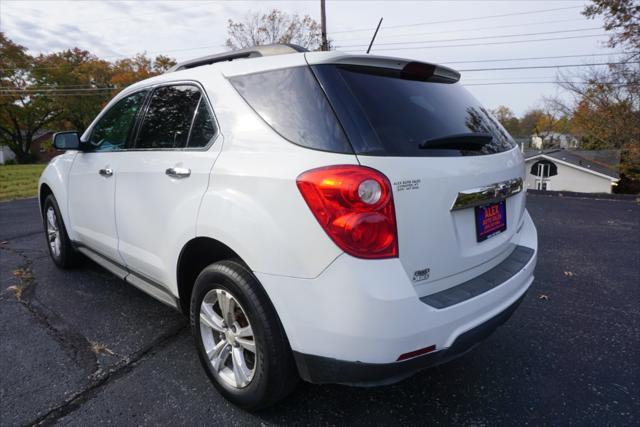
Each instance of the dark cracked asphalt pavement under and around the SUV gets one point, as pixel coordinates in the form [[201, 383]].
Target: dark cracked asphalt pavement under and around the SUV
[[82, 348]]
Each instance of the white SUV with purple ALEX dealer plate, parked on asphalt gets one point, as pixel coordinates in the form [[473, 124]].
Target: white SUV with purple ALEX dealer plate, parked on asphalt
[[324, 216]]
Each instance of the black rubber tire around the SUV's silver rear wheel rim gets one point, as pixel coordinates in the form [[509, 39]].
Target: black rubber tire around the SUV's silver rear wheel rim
[[275, 373]]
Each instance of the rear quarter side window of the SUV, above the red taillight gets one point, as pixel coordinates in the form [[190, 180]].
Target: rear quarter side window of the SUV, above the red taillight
[[293, 104]]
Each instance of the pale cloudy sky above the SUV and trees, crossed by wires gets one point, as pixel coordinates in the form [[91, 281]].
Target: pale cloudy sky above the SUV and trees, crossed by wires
[[420, 29]]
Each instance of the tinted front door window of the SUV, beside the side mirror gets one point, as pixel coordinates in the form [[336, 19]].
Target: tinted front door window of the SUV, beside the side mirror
[[112, 130]]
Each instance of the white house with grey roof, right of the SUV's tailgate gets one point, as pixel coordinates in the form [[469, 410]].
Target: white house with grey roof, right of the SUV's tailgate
[[564, 170]]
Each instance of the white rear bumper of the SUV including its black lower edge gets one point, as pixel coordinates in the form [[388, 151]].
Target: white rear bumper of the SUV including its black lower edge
[[363, 315]]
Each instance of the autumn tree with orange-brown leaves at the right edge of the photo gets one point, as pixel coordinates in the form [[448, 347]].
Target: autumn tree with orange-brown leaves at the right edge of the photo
[[605, 103]]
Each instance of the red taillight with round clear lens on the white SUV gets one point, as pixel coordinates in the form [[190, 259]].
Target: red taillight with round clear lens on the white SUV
[[354, 205]]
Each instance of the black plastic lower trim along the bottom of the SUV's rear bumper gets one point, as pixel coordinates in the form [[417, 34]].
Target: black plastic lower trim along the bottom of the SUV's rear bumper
[[322, 370]]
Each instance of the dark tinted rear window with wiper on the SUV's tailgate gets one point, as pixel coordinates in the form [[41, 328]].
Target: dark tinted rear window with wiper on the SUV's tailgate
[[385, 115]]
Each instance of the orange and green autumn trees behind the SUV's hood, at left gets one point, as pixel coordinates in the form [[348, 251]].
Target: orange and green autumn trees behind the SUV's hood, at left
[[60, 90]]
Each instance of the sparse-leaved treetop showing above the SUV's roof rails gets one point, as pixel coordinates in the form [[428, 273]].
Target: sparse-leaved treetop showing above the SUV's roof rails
[[275, 26]]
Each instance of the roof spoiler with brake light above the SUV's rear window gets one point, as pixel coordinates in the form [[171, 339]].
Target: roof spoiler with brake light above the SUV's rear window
[[408, 69]]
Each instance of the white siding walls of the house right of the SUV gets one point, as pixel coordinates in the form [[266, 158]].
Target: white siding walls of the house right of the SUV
[[570, 179]]
